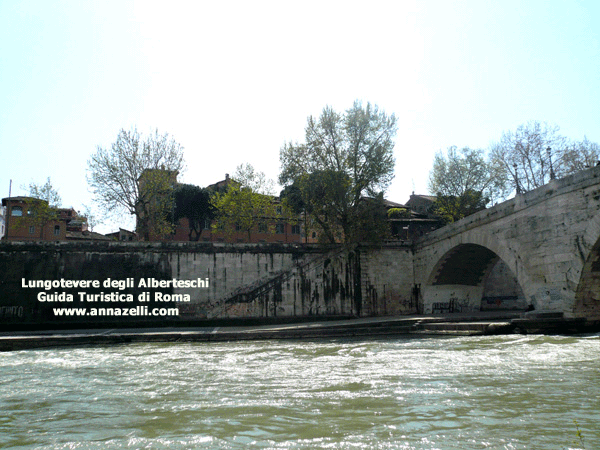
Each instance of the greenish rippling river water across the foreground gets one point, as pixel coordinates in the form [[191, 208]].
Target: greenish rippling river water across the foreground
[[500, 392]]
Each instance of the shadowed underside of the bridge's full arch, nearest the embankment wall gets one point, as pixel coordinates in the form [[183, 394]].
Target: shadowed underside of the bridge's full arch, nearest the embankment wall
[[472, 278]]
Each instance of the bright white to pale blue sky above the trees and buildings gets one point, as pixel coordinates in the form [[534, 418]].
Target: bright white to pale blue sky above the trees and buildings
[[233, 81]]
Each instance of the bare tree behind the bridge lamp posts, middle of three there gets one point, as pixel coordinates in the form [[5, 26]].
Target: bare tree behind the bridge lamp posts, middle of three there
[[525, 157]]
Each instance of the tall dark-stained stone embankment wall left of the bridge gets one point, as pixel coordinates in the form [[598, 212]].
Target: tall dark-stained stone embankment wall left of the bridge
[[228, 281]]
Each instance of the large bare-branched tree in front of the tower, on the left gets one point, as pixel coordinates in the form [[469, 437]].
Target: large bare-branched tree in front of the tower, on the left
[[115, 175]]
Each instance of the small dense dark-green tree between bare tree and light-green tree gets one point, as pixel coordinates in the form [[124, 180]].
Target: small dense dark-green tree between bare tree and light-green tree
[[193, 203]]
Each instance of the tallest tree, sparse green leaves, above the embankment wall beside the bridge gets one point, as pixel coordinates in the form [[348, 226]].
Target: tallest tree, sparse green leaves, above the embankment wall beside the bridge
[[345, 158]]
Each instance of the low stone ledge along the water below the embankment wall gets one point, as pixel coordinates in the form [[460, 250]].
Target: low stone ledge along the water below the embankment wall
[[380, 327]]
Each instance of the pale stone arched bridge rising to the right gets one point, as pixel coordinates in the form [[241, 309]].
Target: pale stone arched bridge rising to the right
[[538, 251]]
